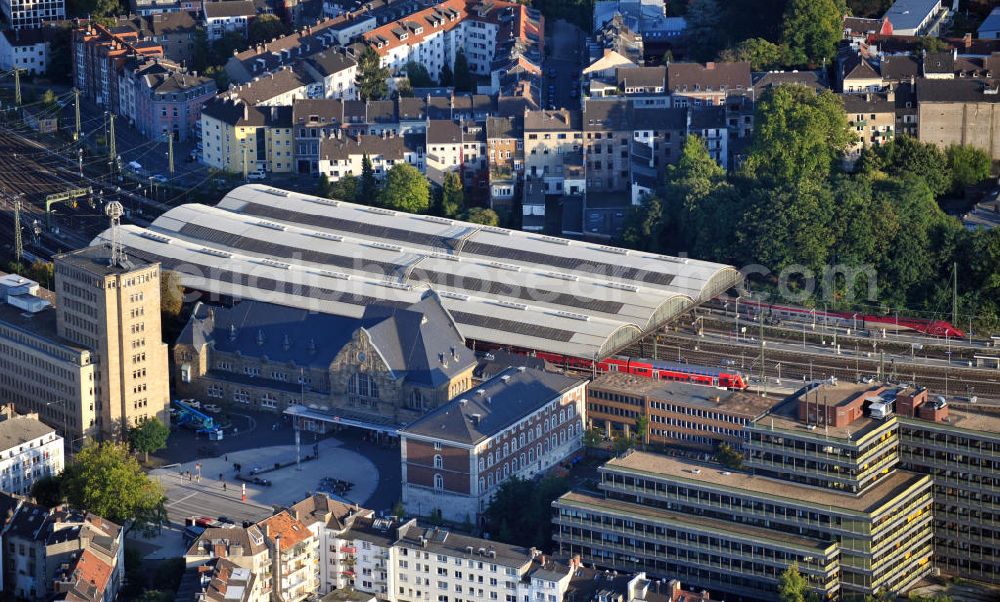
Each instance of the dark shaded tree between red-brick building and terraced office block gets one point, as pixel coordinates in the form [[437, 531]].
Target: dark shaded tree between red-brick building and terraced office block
[[520, 511]]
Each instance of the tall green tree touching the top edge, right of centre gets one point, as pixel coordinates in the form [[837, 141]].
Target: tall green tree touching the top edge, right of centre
[[811, 30]]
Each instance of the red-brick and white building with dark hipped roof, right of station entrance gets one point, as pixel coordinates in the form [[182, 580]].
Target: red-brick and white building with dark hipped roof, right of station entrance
[[517, 424]]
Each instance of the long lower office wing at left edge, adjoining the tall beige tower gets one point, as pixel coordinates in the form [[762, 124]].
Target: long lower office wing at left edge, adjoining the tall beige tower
[[41, 372]]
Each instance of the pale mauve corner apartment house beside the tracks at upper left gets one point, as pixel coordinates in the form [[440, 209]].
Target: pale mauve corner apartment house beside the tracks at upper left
[[161, 99]]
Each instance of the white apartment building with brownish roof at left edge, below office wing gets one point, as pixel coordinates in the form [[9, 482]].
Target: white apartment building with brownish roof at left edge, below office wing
[[29, 450]]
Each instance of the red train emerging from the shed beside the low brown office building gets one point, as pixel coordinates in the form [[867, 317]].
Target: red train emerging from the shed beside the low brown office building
[[658, 369]]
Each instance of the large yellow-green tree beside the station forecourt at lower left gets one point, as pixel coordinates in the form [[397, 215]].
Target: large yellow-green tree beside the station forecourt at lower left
[[108, 481]]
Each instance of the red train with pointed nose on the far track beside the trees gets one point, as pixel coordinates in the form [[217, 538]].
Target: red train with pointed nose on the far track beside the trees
[[936, 328]]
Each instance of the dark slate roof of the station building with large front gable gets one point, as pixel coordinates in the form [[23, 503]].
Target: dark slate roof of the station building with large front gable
[[411, 340]]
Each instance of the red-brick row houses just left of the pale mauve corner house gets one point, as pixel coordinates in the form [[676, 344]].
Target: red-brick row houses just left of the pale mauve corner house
[[100, 54]]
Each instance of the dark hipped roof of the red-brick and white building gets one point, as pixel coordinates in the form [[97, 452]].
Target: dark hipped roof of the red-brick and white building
[[505, 400]]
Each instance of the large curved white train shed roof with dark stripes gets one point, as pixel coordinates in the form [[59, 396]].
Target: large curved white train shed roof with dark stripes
[[501, 286]]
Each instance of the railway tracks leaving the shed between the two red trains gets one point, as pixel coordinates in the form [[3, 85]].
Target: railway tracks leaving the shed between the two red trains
[[798, 366]]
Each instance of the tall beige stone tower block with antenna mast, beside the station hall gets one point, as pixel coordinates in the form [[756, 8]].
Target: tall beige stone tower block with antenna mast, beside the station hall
[[113, 309]]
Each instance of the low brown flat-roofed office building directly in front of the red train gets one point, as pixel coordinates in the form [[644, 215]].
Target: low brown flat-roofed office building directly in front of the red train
[[679, 413]]
